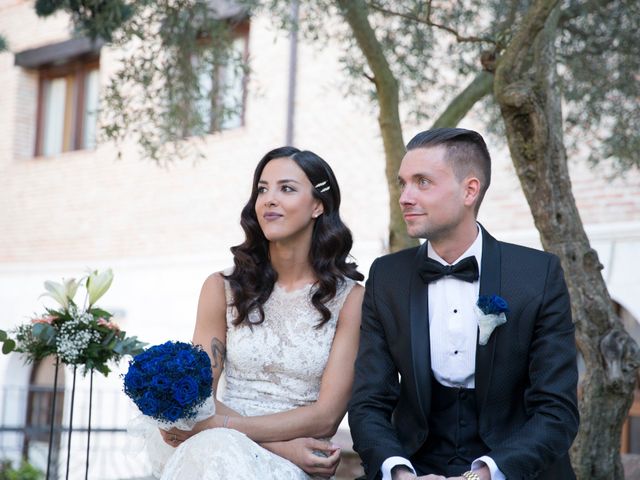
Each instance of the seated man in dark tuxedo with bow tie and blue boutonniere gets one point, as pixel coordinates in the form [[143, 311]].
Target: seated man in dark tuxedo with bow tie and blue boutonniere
[[431, 399]]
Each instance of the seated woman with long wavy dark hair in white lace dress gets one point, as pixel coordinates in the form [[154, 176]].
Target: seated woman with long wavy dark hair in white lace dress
[[284, 325]]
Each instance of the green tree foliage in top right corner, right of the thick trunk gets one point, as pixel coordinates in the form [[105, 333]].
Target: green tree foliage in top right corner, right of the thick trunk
[[599, 54]]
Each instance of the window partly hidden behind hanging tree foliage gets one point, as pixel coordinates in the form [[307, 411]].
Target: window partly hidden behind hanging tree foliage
[[225, 109]]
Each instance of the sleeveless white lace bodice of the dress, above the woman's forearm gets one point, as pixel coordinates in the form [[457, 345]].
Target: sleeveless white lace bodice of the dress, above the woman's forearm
[[277, 365]]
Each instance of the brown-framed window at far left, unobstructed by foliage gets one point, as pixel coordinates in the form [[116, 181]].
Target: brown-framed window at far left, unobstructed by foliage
[[67, 107]]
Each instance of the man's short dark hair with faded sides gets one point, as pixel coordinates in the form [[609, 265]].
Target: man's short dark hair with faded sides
[[466, 152]]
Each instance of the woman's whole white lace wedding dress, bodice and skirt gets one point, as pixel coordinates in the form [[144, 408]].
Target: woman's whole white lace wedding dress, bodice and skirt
[[271, 367]]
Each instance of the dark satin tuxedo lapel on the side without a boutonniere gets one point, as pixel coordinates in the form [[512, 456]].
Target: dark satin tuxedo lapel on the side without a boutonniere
[[420, 346]]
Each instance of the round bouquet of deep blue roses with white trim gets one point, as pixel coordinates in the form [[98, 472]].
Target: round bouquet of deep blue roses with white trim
[[172, 384]]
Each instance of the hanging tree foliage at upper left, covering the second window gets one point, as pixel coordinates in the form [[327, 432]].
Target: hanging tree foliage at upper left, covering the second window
[[169, 86]]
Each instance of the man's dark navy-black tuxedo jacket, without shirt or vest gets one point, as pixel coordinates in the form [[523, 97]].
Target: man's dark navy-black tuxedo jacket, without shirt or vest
[[525, 377]]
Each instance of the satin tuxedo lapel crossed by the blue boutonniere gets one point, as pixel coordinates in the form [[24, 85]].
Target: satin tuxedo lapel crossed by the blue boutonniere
[[489, 285]]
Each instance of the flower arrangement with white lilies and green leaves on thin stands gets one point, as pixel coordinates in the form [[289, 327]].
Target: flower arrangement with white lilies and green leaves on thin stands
[[76, 335]]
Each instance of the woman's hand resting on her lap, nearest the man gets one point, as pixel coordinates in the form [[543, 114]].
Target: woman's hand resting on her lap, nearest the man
[[315, 457]]
